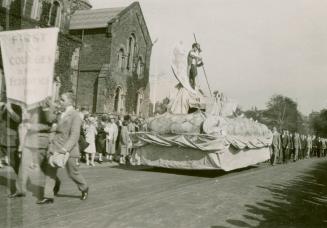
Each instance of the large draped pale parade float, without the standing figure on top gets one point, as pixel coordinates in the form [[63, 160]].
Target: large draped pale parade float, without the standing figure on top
[[210, 137]]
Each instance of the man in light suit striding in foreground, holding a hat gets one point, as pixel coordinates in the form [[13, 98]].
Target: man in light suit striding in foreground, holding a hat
[[65, 140]]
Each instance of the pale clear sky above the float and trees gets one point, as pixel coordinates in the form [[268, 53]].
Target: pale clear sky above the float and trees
[[252, 49]]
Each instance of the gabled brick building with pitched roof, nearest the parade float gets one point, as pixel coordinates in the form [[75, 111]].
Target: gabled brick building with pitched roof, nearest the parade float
[[114, 61]]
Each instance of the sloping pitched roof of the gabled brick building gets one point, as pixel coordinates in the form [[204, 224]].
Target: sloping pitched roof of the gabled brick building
[[97, 18]]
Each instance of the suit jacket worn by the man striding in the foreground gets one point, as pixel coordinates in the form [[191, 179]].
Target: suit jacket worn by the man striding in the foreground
[[67, 134]]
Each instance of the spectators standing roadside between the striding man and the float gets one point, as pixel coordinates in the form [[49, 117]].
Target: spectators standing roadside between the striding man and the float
[[109, 136]]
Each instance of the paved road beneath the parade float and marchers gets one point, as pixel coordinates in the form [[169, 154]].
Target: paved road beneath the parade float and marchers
[[293, 195]]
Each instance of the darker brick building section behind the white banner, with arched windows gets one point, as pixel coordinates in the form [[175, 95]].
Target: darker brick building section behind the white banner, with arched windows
[[25, 14]]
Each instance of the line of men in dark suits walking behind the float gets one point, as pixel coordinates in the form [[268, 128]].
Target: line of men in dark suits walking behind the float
[[294, 146]]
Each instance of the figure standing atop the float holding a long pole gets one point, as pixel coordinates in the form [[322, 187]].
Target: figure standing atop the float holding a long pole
[[194, 61]]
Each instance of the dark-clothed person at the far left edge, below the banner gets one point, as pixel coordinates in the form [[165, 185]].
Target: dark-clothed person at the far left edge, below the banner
[[10, 118]]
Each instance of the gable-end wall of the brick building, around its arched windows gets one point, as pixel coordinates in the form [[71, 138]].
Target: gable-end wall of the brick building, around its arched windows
[[129, 24]]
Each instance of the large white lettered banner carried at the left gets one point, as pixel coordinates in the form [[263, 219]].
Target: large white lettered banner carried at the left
[[28, 58]]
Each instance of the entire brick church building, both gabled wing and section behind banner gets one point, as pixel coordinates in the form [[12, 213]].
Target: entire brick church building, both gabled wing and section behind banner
[[103, 55]]
